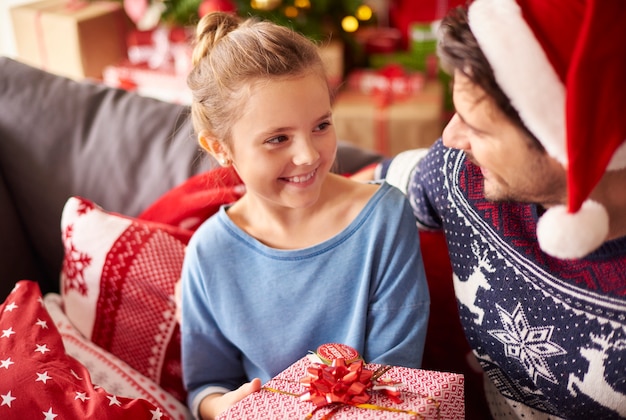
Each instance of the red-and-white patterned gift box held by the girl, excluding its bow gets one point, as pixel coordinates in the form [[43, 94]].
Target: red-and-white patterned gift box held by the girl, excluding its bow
[[424, 395]]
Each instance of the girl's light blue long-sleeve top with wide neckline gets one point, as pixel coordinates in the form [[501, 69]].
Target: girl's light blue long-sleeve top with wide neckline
[[250, 310]]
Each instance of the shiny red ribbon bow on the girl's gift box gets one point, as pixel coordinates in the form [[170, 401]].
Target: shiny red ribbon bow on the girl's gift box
[[337, 383]]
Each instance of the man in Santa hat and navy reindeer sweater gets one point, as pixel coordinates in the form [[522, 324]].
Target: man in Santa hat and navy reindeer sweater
[[529, 186]]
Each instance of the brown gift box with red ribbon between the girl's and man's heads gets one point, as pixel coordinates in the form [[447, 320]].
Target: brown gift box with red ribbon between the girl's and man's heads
[[392, 124]]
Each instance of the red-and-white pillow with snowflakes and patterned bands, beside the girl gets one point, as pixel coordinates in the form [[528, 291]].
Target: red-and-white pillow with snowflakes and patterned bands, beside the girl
[[117, 285]]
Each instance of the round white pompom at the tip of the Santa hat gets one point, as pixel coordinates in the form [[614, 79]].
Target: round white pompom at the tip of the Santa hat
[[569, 236]]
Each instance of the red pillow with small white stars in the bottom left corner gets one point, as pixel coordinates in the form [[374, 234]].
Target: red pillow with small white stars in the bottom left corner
[[38, 380]]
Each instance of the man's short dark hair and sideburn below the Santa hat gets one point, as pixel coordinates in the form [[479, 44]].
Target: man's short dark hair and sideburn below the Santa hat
[[458, 50]]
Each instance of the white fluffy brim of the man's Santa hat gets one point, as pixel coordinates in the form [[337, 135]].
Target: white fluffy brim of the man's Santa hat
[[522, 70]]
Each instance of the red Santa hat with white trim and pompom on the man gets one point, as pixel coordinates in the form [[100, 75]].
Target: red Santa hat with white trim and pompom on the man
[[562, 63]]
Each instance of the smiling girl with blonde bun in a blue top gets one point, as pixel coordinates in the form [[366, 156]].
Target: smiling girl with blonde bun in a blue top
[[306, 256]]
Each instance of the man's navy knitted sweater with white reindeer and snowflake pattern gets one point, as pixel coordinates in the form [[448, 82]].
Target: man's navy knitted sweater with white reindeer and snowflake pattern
[[549, 333]]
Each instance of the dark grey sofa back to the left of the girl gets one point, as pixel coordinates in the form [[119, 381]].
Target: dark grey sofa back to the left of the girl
[[60, 138]]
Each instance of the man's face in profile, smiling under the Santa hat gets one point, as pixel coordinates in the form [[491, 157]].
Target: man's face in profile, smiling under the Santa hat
[[513, 167]]
